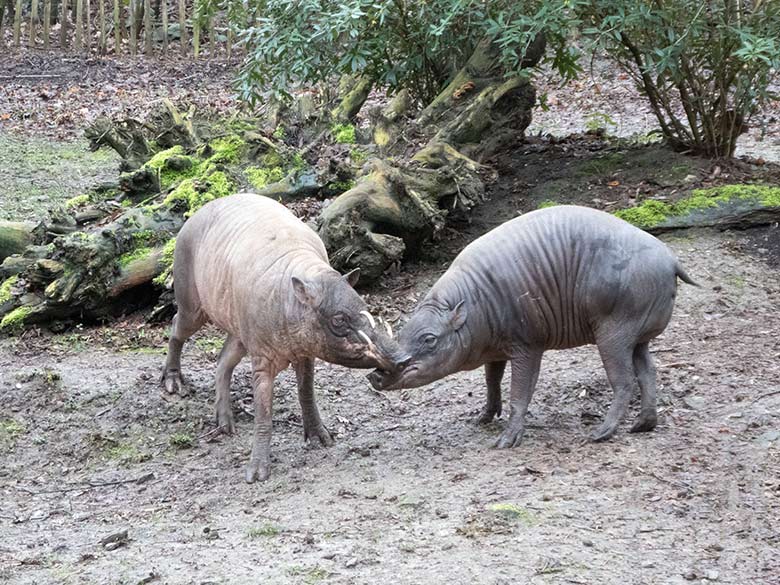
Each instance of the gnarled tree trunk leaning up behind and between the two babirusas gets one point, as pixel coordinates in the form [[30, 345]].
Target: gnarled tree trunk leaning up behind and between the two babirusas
[[395, 207]]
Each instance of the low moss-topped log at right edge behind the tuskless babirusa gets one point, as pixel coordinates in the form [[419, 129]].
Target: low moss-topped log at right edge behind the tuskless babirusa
[[725, 206]]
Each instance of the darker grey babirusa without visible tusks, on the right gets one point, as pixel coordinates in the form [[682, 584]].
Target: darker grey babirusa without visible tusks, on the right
[[551, 279]]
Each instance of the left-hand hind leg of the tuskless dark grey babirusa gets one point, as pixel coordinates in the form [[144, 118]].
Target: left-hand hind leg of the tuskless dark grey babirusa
[[618, 361]]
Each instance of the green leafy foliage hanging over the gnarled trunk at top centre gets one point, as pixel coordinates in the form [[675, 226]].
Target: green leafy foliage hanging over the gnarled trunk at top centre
[[397, 44]]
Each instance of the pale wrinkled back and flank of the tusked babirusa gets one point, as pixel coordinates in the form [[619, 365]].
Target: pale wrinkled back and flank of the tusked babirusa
[[243, 251]]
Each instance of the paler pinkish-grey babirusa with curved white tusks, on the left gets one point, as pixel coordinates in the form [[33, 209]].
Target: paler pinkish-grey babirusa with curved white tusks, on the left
[[251, 267]]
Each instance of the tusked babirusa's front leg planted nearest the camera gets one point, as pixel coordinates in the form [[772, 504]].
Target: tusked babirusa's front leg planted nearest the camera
[[263, 375]]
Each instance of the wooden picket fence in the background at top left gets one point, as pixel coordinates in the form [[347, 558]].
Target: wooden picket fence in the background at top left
[[116, 26]]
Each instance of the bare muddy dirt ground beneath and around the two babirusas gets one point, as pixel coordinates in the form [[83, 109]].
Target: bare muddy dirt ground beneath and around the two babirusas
[[105, 481]]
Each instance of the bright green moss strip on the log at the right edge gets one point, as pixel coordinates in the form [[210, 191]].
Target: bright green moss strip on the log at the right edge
[[651, 213]]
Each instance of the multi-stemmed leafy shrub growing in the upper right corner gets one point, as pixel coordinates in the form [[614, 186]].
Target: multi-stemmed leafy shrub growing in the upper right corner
[[704, 66]]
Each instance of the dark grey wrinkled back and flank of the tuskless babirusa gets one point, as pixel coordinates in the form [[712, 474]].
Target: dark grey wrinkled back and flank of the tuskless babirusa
[[551, 276]]
